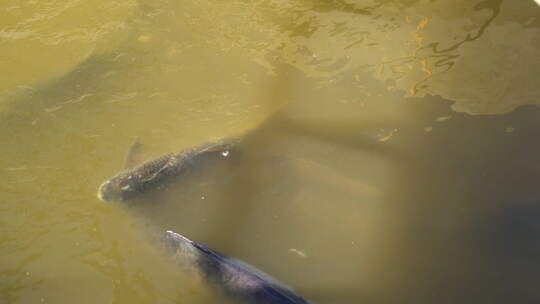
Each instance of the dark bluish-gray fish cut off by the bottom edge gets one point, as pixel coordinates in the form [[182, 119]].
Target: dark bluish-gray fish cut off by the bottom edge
[[237, 280]]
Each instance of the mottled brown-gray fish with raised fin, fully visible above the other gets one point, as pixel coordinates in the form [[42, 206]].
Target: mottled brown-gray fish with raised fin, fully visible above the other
[[159, 171]]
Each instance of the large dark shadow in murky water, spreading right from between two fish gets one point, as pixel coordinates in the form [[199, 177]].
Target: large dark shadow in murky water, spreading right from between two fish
[[453, 198]]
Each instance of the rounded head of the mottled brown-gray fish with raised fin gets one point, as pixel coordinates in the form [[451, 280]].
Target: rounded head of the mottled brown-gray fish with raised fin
[[118, 188]]
